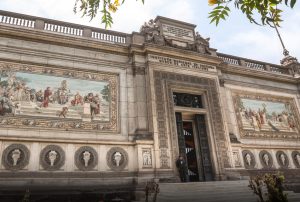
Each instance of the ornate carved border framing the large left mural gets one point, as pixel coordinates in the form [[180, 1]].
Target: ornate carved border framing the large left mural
[[57, 124]]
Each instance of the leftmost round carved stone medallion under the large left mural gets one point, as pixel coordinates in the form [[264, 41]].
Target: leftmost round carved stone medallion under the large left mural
[[15, 157]]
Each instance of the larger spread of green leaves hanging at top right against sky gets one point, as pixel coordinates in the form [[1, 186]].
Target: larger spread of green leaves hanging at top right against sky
[[267, 10]]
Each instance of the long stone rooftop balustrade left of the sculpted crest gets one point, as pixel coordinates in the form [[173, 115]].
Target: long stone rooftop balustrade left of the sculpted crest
[[32, 22]]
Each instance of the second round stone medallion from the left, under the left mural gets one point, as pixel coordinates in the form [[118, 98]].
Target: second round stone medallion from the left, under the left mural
[[52, 157]]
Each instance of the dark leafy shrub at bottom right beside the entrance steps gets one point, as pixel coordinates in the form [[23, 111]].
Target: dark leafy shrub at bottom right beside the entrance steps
[[273, 184]]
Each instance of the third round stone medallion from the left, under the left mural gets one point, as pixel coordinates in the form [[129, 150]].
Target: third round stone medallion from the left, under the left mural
[[86, 158]]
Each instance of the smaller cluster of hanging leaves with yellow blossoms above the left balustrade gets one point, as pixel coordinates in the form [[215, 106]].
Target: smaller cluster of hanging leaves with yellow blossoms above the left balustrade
[[91, 8]]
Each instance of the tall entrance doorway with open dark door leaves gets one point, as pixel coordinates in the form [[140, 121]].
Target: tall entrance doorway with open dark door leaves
[[193, 145]]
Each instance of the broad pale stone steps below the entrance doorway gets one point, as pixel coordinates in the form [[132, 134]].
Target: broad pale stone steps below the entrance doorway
[[216, 191]]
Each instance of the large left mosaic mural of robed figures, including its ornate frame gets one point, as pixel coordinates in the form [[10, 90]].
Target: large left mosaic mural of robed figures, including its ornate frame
[[36, 93]]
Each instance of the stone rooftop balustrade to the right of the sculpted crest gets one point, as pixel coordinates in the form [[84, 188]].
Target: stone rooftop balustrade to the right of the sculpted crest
[[252, 64]]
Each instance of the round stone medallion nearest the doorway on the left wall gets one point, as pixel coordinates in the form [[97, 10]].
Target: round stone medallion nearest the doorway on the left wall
[[117, 158]]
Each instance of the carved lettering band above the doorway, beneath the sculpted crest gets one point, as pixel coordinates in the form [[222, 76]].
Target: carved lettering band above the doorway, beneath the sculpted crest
[[181, 63]]
